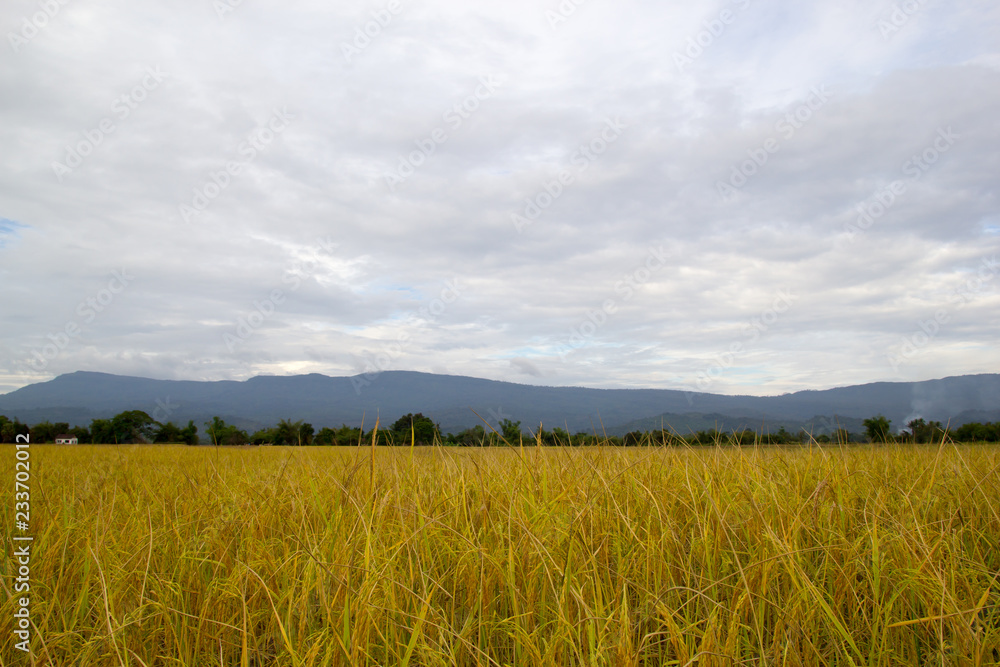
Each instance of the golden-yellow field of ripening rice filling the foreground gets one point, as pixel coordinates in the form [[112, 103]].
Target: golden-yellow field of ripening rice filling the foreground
[[314, 556]]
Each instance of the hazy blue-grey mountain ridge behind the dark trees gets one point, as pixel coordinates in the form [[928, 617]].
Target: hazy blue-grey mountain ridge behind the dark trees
[[450, 400]]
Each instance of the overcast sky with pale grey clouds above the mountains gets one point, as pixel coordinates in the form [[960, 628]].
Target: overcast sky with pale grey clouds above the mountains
[[740, 197]]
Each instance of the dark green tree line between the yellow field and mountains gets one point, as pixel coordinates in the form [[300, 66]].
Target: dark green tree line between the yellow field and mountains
[[136, 426]]
